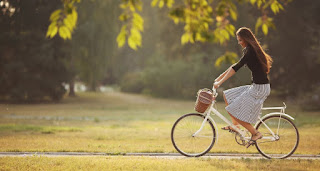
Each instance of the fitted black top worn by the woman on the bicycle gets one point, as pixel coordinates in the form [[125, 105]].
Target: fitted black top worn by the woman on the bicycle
[[251, 60]]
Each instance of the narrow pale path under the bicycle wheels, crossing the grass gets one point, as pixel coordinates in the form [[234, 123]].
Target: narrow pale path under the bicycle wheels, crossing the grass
[[157, 155]]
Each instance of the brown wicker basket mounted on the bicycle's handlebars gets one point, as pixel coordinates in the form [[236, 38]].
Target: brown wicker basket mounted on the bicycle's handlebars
[[204, 99]]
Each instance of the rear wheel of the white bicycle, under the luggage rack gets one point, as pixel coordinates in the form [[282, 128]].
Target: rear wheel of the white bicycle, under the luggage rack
[[285, 140]]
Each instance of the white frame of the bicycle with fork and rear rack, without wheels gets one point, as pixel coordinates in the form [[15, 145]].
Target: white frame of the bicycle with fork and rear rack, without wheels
[[213, 111]]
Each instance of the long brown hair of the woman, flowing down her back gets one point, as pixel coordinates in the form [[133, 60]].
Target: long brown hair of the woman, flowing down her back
[[265, 59]]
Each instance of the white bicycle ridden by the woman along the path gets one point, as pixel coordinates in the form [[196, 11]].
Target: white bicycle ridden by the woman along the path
[[194, 134]]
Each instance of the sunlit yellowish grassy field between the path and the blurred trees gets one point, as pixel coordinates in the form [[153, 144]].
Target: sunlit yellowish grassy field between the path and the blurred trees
[[118, 123]]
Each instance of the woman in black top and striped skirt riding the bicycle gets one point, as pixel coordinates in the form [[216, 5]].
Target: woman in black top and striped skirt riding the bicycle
[[244, 103]]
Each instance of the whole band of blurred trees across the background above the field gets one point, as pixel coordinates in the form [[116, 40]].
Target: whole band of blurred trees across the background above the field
[[34, 67]]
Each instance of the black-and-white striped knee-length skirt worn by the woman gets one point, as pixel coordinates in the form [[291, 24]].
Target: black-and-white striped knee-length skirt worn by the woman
[[245, 102]]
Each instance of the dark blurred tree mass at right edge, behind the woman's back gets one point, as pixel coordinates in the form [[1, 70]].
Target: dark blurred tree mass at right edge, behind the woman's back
[[296, 50]]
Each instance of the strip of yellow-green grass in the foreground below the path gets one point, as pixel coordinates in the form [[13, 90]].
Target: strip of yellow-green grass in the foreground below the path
[[145, 163]]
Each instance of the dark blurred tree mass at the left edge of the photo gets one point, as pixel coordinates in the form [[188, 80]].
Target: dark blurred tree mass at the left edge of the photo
[[31, 67]]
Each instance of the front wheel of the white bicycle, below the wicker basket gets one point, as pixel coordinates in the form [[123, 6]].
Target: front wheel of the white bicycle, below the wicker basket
[[186, 141]]
